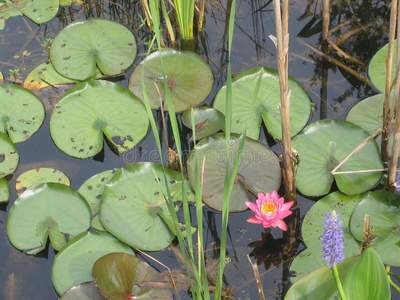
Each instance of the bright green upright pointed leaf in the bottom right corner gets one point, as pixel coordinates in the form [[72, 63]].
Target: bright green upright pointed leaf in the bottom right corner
[[367, 279]]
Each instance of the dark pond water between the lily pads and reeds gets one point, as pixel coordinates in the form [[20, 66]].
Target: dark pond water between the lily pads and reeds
[[332, 90]]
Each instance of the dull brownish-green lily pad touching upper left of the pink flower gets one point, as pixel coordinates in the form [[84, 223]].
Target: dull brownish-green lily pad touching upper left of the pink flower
[[259, 171]]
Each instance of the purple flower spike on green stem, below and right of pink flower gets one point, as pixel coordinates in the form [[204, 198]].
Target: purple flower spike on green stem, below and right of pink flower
[[332, 240]]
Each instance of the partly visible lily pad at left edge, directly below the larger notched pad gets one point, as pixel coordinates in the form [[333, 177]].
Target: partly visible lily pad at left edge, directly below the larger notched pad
[[9, 156]]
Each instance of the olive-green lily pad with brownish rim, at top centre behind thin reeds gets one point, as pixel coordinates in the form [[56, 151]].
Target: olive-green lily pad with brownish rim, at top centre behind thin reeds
[[189, 78]]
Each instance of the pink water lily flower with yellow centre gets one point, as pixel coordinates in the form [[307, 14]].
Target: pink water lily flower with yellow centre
[[270, 210]]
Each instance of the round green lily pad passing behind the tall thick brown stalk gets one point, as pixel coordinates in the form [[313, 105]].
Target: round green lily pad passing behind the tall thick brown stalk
[[256, 98]]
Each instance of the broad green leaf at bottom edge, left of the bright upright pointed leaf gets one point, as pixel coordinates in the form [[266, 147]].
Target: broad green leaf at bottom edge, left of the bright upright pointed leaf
[[319, 284]]
